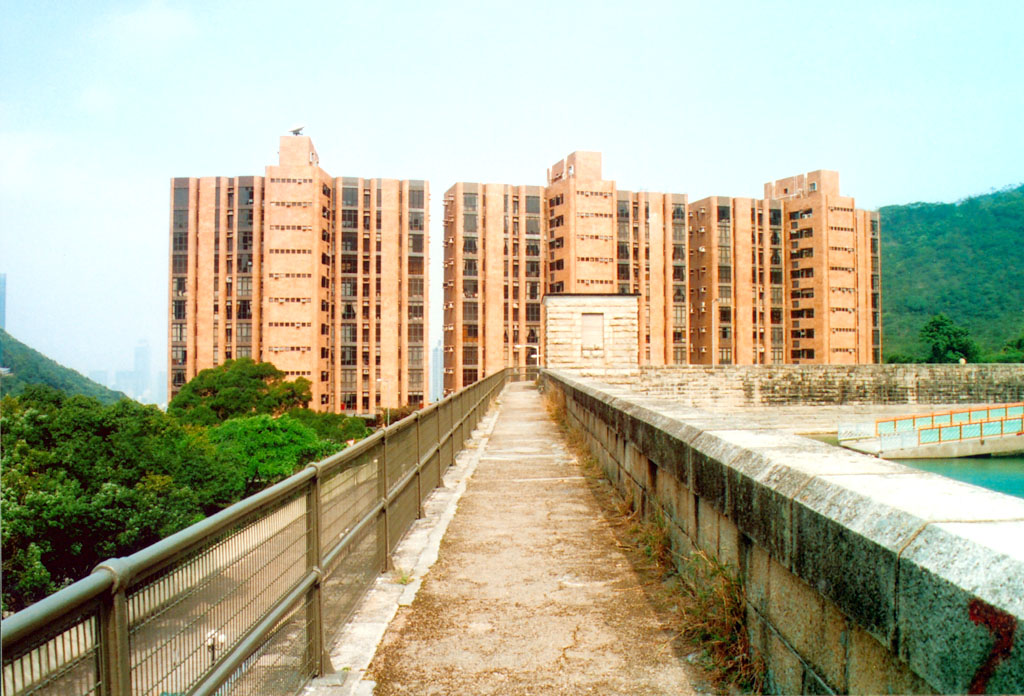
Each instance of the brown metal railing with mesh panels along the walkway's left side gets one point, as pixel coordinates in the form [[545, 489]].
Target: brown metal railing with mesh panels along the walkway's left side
[[247, 600]]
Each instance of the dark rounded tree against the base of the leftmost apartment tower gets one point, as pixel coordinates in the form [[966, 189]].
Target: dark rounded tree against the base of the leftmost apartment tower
[[238, 388]]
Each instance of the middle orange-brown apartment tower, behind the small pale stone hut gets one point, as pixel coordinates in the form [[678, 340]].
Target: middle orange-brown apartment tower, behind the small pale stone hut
[[507, 246]]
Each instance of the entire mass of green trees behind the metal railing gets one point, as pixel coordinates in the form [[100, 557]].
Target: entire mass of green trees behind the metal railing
[[82, 482]]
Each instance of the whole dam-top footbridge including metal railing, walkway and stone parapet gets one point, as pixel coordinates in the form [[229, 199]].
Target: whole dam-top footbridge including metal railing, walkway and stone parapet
[[860, 576]]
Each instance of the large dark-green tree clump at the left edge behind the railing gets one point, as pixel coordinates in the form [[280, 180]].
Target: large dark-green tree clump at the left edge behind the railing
[[82, 483]]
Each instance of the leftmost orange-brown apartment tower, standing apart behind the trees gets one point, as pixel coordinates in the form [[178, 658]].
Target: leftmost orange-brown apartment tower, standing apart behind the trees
[[325, 278]]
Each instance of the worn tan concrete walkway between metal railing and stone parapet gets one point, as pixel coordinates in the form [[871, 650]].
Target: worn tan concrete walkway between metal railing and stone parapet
[[531, 593]]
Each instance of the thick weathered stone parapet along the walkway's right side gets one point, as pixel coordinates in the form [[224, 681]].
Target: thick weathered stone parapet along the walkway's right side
[[861, 576]]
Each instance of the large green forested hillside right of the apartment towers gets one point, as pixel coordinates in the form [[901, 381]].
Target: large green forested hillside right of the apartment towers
[[964, 259]]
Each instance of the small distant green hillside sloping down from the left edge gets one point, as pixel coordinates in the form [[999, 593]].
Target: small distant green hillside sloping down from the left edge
[[30, 367]]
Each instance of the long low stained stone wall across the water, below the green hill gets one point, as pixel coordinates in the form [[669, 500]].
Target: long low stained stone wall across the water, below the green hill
[[738, 386]]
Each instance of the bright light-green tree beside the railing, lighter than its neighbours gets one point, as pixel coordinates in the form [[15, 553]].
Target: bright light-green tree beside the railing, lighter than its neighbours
[[266, 450]]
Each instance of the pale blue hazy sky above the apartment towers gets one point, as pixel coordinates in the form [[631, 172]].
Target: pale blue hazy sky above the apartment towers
[[102, 103]]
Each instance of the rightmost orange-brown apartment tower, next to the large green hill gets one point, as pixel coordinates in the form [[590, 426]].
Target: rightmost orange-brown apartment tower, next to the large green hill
[[794, 278]]
